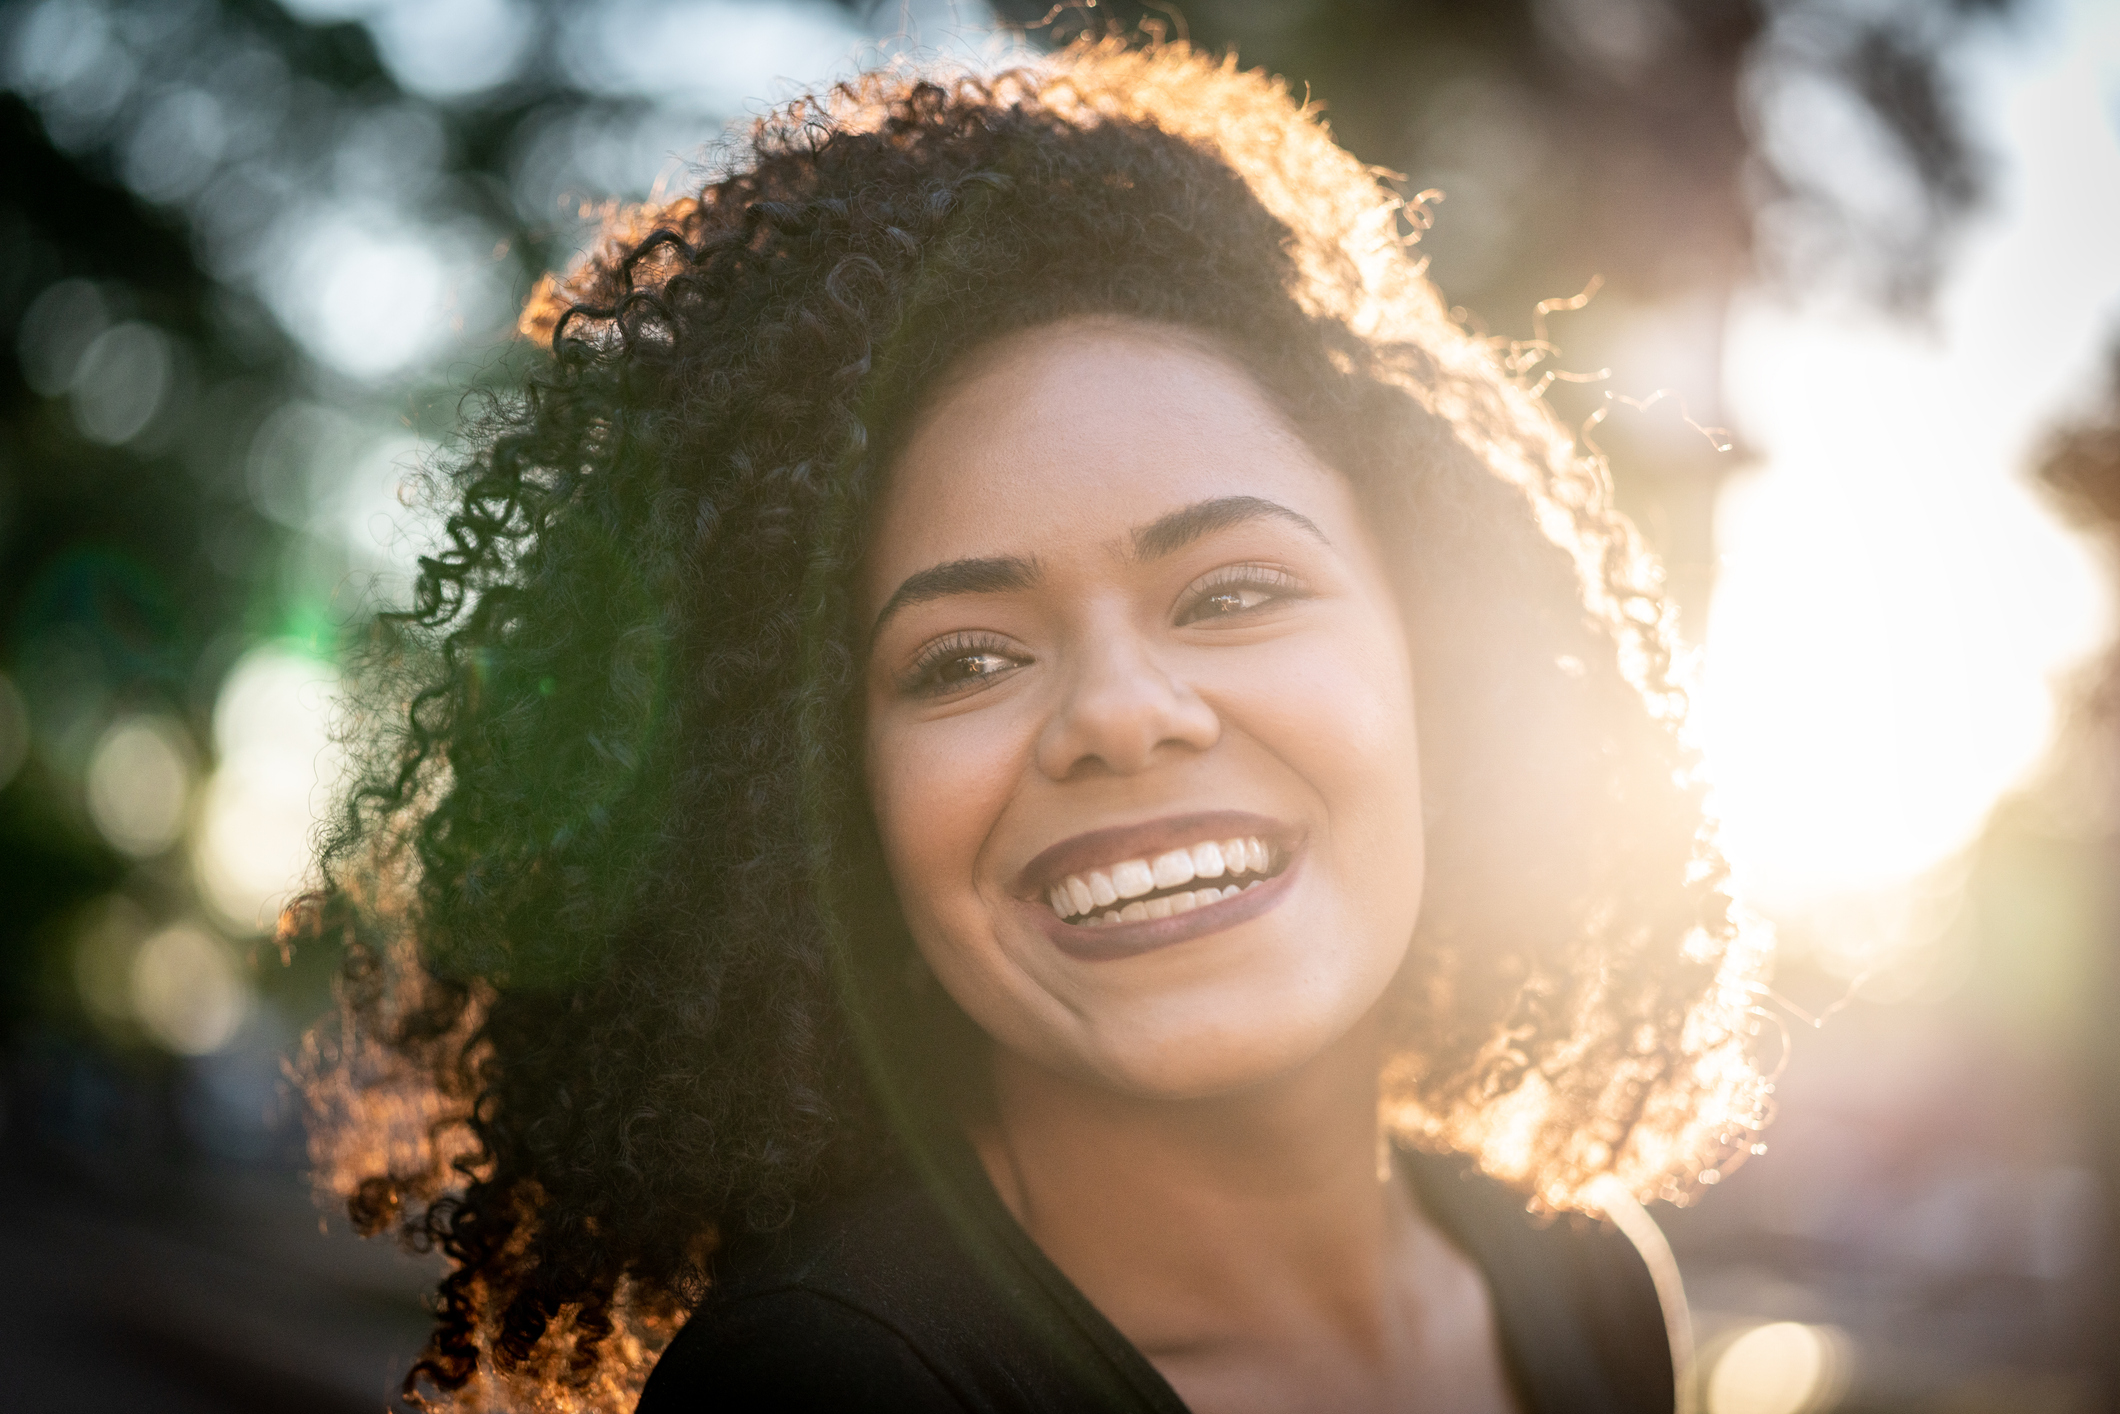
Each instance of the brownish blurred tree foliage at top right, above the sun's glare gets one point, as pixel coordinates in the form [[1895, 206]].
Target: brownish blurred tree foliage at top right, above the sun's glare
[[1665, 149]]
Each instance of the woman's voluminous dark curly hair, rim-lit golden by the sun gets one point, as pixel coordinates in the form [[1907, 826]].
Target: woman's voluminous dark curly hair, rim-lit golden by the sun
[[622, 968]]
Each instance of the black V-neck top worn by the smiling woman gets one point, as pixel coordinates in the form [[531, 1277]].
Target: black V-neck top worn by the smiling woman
[[934, 1298]]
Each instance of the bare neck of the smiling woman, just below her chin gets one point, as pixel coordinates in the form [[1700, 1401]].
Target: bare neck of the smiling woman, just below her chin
[[1199, 1224]]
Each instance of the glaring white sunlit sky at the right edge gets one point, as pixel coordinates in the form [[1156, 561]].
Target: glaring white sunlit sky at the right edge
[[1896, 601]]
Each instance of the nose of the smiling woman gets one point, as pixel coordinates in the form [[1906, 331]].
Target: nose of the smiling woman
[[1120, 711]]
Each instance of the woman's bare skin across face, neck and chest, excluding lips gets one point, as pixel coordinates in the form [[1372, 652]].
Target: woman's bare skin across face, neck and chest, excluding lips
[[1186, 1129]]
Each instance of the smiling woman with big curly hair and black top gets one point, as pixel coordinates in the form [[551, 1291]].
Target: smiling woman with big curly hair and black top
[[1031, 785]]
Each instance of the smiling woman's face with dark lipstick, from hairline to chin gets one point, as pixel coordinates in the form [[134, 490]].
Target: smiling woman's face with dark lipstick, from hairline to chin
[[1139, 718]]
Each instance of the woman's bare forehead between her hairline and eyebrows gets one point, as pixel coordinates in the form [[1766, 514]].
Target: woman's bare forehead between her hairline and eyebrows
[[1082, 431]]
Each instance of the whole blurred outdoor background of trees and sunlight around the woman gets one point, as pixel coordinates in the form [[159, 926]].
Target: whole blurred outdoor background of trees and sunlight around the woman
[[1852, 351]]
